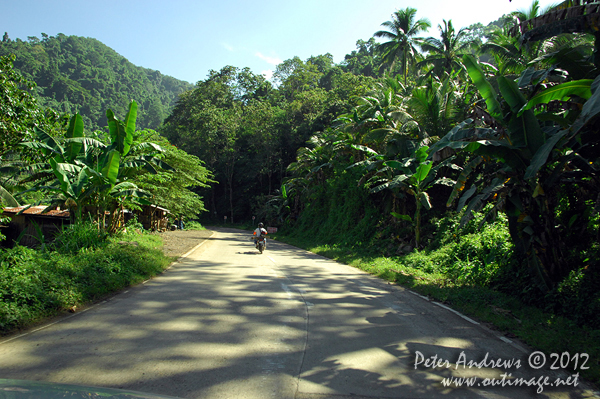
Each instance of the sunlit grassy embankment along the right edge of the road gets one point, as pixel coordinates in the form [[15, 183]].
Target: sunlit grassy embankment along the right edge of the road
[[477, 274]]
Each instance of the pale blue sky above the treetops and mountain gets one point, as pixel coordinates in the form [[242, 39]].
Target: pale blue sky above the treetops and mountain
[[186, 39]]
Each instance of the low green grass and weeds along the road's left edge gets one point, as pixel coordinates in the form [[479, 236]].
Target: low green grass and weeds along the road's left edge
[[79, 268]]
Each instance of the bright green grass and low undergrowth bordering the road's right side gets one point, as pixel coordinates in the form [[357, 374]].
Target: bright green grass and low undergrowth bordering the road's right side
[[475, 274]]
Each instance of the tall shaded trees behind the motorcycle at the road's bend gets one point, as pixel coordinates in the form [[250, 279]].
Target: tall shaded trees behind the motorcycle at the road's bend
[[247, 129]]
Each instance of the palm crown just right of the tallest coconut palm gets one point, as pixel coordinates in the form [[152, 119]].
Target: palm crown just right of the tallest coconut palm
[[445, 54]]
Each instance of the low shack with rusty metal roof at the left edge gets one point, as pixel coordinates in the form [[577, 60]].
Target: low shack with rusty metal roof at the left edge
[[27, 226]]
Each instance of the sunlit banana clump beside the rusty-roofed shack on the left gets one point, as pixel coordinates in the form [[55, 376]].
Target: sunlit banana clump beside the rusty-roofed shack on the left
[[87, 172]]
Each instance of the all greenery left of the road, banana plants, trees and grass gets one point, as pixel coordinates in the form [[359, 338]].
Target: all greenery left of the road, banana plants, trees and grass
[[50, 159]]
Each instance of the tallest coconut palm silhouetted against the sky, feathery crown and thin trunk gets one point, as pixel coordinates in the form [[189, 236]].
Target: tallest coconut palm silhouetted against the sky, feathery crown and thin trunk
[[401, 34]]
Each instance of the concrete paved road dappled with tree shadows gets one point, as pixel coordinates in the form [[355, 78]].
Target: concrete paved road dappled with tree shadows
[[227, 322]]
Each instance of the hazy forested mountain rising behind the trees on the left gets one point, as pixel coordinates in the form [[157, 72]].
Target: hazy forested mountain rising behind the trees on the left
[[77, 74]]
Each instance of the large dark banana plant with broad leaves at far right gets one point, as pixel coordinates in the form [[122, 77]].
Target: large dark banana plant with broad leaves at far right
[[534, 151]]
